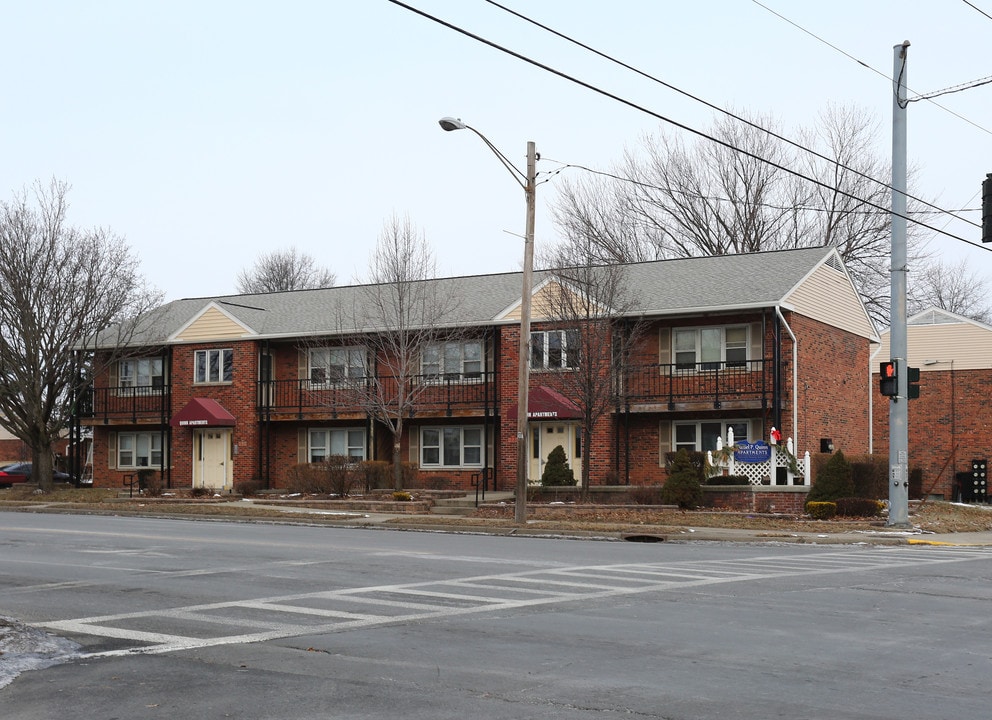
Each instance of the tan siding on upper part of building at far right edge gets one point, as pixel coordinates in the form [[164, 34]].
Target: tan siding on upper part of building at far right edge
[[968, 345]]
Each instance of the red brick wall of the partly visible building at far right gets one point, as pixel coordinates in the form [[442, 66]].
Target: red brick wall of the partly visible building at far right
[[949, 425]]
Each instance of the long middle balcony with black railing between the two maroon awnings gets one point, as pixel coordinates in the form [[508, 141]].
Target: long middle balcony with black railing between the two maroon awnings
[[429, 395]]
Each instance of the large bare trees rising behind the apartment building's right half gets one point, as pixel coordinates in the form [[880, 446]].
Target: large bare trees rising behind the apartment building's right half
[[706, 198]]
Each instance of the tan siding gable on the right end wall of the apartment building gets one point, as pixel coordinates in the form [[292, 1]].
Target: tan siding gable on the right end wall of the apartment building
[[828, 296]]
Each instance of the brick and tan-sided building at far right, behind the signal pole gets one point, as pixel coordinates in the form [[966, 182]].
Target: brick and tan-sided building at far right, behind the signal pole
[[950, 423]]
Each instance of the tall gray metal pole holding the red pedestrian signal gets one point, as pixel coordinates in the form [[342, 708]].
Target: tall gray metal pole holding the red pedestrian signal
[[899, 403]]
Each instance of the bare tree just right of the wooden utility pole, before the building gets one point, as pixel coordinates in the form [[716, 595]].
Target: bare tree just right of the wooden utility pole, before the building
[[587, 302]]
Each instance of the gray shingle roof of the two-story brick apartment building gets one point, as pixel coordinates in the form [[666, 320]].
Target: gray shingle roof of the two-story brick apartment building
[[662, 287]]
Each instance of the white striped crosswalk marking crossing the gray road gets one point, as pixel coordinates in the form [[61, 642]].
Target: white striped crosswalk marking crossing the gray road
[[433, 599]]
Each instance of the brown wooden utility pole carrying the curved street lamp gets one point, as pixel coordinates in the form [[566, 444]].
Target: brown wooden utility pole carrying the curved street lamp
[[523, 379]]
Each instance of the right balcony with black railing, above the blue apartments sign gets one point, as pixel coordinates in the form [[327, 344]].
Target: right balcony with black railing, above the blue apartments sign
[[700, 386]]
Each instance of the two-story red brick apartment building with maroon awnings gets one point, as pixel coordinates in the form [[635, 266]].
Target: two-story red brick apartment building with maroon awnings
[[228, 389]]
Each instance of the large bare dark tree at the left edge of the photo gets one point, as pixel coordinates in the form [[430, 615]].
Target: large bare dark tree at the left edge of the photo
[[61, 288]]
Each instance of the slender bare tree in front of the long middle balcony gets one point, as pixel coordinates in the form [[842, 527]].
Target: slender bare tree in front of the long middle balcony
[[404, 311]]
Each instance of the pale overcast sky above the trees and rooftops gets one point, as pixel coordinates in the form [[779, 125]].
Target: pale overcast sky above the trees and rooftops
[[209, 132]]
